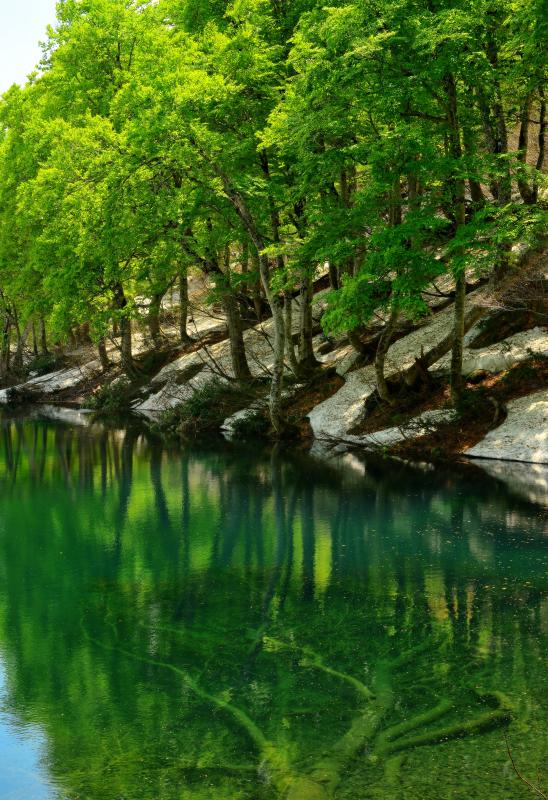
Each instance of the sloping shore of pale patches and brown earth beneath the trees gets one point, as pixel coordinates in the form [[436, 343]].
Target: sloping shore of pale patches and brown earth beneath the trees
[[337, 409]]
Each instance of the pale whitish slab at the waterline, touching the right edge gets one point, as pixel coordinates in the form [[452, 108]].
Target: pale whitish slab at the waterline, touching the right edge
[[523, 436]]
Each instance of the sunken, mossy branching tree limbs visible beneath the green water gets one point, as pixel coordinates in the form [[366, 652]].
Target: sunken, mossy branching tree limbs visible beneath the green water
[[322, 779]]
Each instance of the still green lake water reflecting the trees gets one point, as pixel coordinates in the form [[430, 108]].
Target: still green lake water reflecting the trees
[[234, 624]]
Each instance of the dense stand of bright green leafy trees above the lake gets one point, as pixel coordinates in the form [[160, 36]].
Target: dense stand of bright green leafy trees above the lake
[[272, 146]]
